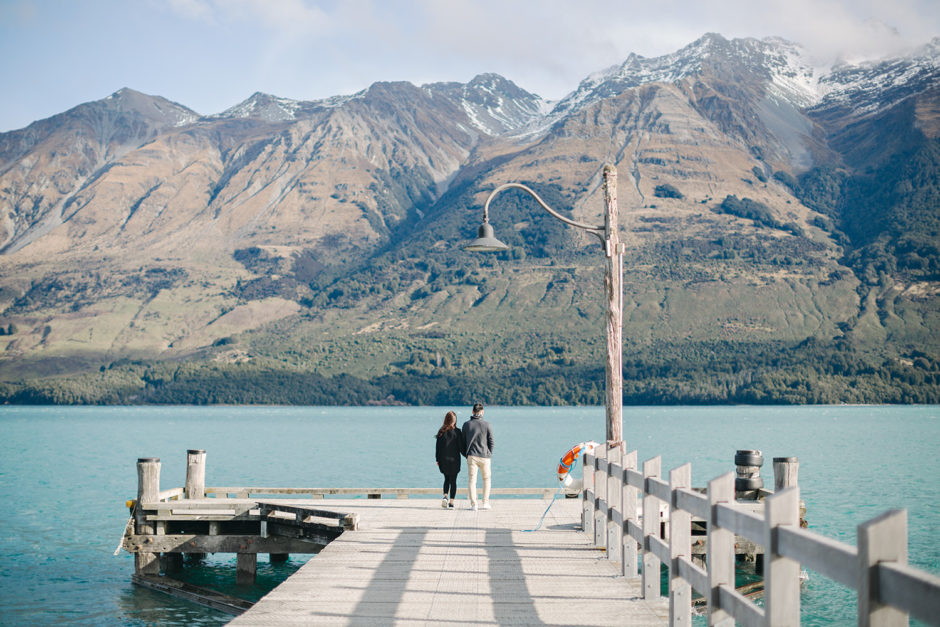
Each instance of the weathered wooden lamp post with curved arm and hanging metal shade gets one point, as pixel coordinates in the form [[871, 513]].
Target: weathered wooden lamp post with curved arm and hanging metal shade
[[609, 235]]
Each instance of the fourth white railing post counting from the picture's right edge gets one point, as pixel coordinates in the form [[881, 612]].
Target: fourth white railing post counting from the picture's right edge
[[680, 545]]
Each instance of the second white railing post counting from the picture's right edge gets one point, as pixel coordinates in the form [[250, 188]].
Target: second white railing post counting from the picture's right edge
[[781, 574]]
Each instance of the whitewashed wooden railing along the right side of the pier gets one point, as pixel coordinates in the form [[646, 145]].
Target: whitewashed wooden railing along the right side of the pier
[[888, 589]]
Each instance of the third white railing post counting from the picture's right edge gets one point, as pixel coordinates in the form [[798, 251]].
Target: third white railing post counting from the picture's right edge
[[720, 550]]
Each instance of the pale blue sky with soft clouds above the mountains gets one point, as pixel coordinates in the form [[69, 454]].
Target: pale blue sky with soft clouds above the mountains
[[210, 55]]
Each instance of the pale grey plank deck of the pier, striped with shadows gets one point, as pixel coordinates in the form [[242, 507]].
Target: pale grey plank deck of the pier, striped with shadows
[[412, 562]]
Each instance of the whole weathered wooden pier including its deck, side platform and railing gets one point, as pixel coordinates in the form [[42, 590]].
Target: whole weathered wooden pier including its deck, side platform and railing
[[595, 560]]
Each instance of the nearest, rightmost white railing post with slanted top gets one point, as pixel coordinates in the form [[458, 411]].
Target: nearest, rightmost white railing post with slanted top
[[882, 539]]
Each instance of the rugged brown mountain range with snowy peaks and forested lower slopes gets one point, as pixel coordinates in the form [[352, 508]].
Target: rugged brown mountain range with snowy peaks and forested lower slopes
[[781, 222]]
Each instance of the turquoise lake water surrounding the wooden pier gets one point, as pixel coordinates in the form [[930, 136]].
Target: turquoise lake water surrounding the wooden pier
[[65, 473]]
